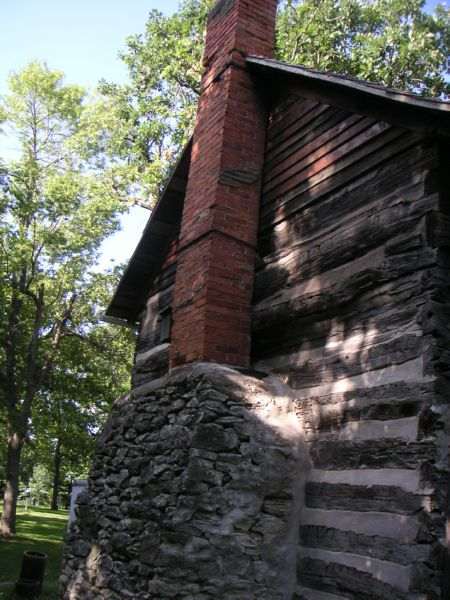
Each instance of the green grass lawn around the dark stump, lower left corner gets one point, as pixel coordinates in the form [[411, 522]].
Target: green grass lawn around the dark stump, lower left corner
[[40, 530]]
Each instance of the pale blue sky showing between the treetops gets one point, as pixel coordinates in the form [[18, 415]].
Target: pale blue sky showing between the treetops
[[82, 38]]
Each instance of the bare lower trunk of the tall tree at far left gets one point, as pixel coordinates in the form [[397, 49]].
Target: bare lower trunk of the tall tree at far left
[[8, 520]]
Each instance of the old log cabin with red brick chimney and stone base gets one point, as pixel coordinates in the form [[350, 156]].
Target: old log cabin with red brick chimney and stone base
[[287, 432]]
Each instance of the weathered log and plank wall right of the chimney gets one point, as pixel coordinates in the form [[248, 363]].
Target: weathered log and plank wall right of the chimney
[[350, 311]]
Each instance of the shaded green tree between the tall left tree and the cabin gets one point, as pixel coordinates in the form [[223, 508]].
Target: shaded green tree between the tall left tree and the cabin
[[70, 414]]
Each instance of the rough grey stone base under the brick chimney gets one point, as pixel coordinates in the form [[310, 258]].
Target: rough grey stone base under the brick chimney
[[195, 493]]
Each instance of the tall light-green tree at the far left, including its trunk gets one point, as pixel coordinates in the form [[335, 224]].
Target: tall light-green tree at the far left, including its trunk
[[58, 199]]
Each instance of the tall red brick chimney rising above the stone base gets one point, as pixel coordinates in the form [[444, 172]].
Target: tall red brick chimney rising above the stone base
[[217, 246]]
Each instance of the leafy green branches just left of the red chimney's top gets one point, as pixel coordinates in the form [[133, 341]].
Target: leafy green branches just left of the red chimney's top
[[157, 108]]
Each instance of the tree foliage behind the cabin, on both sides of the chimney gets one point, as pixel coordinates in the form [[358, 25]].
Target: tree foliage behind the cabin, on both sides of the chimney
[[394, 42]]
